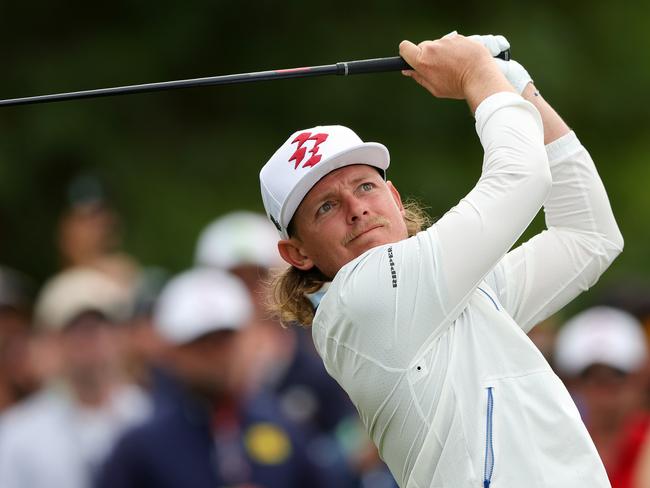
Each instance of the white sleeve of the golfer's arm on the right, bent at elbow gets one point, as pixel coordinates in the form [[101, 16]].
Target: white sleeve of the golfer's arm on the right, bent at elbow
[[539, 277]]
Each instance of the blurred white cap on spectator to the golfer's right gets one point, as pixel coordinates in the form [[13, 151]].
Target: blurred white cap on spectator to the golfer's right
[[600, 335]]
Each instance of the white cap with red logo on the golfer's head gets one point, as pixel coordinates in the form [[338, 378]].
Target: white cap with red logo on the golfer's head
[[304, 159]]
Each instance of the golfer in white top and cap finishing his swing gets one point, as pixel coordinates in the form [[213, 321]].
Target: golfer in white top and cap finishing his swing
[[425, 329]]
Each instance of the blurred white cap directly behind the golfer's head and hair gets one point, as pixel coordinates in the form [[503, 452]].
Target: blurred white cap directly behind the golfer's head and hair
[[236, 239]]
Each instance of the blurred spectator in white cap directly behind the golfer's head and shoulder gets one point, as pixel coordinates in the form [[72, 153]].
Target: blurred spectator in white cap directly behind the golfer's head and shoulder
[[283, 360]]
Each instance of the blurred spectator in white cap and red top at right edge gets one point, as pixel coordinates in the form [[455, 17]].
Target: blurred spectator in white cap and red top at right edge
[[602, 355]]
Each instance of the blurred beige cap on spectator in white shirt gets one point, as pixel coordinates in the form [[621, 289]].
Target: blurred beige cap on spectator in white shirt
[[73, 292]]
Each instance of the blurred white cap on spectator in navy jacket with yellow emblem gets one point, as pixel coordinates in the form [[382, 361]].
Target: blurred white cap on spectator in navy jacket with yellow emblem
[[201, 301]]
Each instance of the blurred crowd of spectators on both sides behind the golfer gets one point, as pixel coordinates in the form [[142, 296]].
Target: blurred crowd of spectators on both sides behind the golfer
[[116, 375]]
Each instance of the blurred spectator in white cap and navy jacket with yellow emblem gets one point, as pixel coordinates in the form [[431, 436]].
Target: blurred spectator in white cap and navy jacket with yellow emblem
[[209, 436]]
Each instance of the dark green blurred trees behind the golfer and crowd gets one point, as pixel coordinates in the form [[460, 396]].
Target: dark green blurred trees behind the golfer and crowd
[[173, 161]]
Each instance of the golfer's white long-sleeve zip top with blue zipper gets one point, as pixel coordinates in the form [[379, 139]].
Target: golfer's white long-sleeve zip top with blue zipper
[[427, 335]]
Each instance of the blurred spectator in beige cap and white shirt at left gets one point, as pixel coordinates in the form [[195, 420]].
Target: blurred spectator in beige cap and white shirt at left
[[60, 436]]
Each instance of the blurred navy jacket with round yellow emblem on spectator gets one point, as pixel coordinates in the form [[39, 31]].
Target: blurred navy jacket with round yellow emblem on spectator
[[176, 448]]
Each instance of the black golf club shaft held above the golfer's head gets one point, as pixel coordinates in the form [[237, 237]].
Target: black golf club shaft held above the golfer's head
[[345, 68]]
